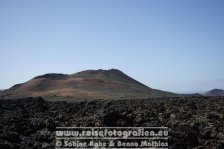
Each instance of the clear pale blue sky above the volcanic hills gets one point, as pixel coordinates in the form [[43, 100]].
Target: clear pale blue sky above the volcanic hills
[[174, 45]]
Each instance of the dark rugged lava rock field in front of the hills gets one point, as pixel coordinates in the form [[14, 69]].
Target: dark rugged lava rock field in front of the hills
[[193, 122]]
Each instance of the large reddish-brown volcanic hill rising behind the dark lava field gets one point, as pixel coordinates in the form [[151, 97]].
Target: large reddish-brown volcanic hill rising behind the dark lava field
[[89, 84]]
